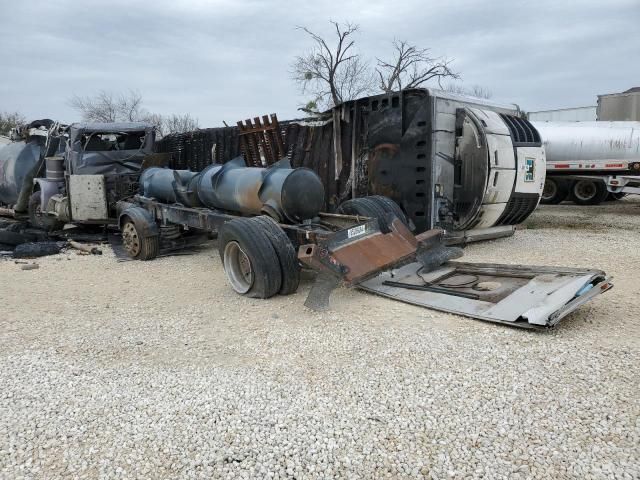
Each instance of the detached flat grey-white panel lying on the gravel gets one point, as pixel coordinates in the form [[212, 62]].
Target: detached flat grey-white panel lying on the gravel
[[518, 295]]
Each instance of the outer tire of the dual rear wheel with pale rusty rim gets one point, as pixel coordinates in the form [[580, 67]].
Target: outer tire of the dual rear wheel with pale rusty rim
[[249, 259]]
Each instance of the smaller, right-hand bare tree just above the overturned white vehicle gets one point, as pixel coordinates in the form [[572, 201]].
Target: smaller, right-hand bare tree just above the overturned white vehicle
[[411, 67]]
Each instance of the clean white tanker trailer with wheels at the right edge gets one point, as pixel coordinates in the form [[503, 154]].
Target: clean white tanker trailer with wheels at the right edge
[[590, 161]]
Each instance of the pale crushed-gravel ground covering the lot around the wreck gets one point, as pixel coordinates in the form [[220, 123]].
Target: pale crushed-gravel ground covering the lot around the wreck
[[157, 370]]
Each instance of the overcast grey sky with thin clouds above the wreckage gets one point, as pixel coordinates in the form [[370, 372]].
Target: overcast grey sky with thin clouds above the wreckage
[[230, 59]]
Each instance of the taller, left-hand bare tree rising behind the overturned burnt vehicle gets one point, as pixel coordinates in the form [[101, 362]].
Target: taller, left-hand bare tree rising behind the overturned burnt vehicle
[[332, 73]]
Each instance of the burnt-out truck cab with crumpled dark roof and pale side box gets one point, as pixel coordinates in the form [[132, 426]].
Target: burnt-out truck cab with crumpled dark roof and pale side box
[[93, 167]]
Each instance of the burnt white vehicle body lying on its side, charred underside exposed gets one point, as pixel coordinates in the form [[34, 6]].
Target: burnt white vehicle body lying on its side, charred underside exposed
[[466, 165]]
